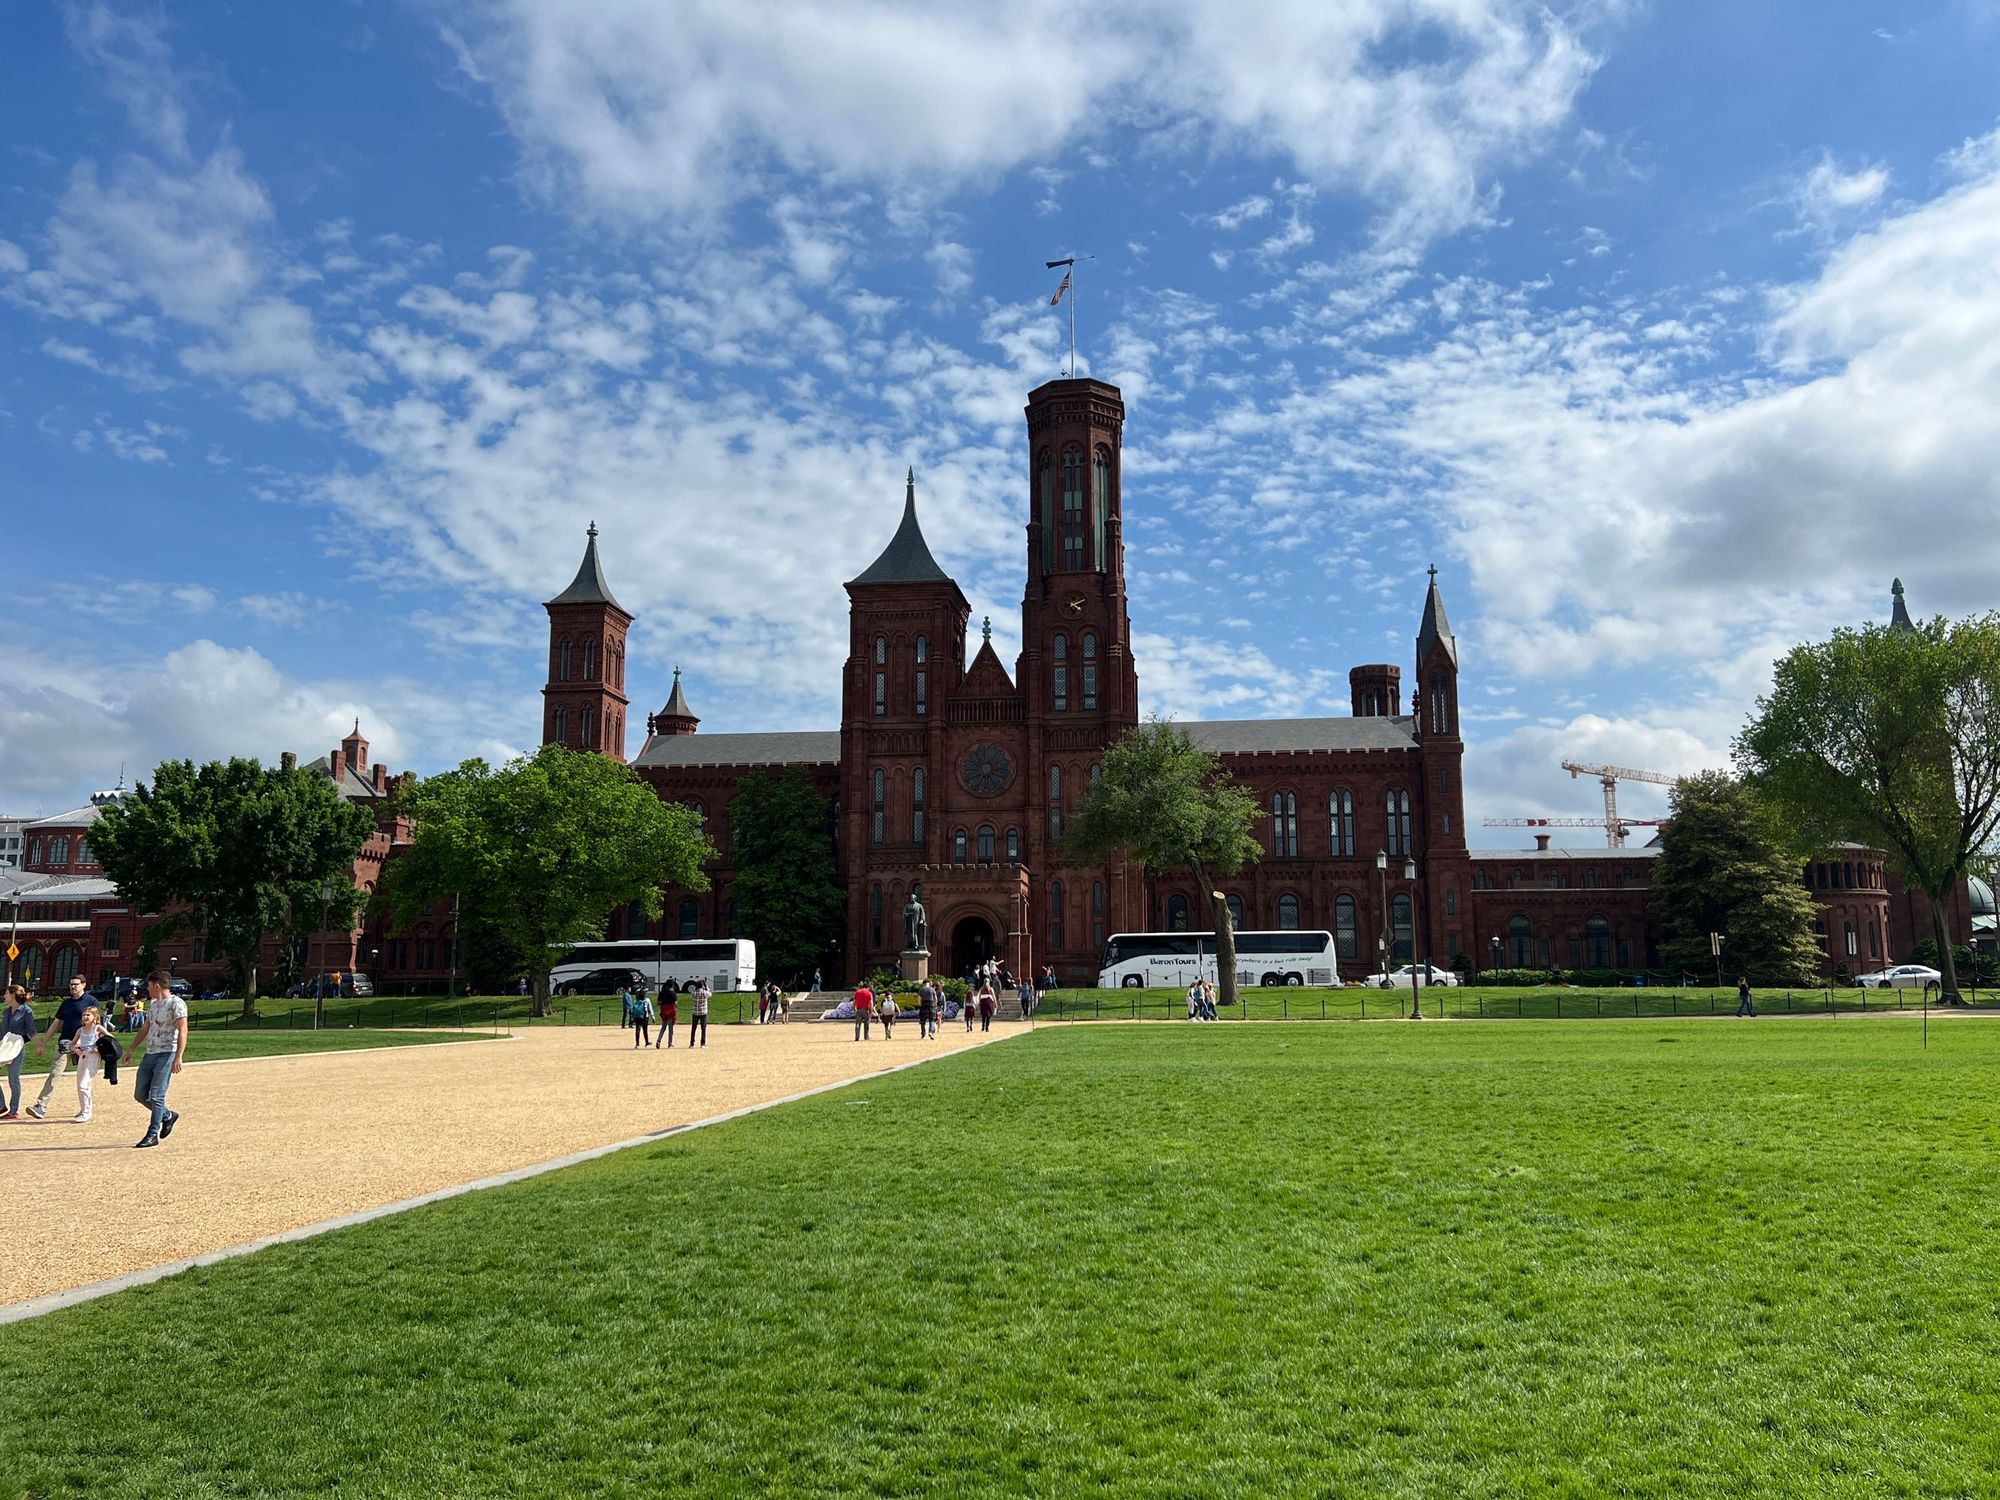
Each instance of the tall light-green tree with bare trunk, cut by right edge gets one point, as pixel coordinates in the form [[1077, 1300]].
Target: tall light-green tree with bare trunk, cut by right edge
[[1889, 737]]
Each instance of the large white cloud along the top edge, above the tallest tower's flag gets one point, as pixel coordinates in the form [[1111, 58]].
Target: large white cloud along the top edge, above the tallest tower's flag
[[649, 113]]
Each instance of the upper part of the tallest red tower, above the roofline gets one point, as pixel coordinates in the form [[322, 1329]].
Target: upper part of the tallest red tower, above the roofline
[[1077, 661]]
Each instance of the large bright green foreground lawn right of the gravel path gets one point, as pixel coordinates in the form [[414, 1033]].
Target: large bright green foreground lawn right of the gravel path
[[1663, 1259]]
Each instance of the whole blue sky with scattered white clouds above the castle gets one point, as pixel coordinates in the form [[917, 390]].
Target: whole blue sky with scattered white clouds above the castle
[[1669, 333]]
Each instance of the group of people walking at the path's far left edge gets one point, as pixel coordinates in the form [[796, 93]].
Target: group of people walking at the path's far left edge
[[81, 1035]]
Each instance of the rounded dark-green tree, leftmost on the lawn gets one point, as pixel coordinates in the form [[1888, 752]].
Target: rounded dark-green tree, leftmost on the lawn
[[239, 853]]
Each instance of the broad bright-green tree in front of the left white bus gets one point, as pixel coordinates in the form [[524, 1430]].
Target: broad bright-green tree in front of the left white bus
[[541, 851]]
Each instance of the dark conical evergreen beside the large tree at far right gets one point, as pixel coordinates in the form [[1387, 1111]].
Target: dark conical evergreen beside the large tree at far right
[[1721, 871]]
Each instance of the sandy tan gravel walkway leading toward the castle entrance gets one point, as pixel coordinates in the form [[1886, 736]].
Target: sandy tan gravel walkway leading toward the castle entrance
[[277, 1143]]
